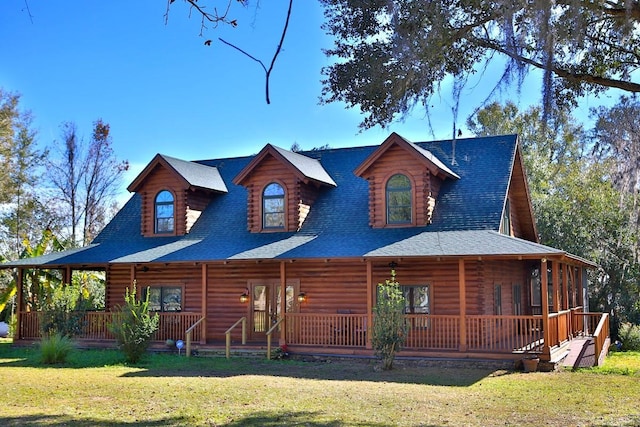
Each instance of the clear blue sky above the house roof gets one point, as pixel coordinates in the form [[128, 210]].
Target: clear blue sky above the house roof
[[163, 91]]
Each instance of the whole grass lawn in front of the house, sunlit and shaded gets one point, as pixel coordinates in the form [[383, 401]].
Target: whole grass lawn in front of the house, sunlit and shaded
[[96, 388]]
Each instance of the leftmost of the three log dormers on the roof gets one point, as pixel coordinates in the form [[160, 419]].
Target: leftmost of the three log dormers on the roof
[[174, 194]]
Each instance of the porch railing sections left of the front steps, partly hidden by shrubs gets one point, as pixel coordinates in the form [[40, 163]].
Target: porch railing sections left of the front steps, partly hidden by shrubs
[[94, 326]]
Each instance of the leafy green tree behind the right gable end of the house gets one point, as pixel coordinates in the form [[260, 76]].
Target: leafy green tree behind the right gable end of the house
[[576, 203]]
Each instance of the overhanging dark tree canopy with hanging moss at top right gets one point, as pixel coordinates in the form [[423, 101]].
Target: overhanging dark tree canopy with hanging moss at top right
[[390, 56]]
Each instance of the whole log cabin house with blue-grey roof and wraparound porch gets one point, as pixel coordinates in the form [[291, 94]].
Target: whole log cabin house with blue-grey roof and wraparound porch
[[291, 245]]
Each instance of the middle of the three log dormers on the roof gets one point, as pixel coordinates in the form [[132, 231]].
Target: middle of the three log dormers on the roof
[[282, 187]]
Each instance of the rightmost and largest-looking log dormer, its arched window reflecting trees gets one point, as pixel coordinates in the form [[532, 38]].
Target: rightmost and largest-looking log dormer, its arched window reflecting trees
[[404, 182]]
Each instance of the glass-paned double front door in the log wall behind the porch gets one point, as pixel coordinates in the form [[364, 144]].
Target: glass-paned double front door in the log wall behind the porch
[[266, 307]]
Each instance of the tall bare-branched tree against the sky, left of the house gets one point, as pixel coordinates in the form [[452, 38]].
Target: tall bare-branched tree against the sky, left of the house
[[86, 179]]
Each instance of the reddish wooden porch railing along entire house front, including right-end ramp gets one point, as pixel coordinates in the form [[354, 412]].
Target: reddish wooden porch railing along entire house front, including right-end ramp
[[497, 337]]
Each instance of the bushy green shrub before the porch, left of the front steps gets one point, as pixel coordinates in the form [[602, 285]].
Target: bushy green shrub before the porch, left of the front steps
[[133, 326]]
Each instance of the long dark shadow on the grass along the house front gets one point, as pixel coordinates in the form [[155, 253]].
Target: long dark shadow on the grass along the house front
[[173, 365]]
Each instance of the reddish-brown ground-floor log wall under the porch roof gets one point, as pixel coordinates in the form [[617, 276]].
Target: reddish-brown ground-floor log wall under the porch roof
[[332, 286]]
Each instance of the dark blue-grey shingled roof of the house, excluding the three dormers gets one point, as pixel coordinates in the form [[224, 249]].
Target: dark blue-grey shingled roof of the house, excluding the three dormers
[[466, 220]]
